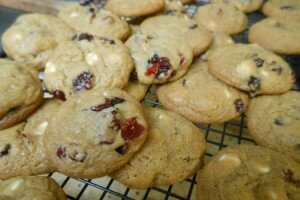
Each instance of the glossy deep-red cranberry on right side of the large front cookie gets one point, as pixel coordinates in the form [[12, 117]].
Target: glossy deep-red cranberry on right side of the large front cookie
[[131, 129]]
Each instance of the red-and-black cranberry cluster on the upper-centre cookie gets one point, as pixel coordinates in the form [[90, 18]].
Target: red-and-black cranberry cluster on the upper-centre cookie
[[158, 66]]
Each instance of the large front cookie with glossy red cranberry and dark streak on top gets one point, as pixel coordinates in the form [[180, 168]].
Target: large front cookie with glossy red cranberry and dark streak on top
[[95, 133]]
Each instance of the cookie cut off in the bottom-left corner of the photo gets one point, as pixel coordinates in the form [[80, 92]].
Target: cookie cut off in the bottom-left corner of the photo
[[31, 187]]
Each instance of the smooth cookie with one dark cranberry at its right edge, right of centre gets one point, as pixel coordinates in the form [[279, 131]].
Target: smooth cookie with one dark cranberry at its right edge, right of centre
[[201, 98]]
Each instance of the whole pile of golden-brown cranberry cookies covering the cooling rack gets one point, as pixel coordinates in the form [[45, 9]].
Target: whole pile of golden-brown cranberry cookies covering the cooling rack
[[85, 119]]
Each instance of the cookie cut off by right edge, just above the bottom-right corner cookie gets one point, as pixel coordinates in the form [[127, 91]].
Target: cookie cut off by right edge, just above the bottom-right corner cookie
[[274, 122]]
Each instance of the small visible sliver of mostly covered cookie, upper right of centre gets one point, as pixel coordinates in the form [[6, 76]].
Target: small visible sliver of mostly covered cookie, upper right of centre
[[219, 39]]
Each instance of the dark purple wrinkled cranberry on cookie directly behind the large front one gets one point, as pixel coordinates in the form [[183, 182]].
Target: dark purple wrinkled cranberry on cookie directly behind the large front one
[[83, 81]]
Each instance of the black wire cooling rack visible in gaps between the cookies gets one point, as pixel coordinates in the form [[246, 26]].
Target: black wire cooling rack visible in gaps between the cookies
[[216, 135]]
